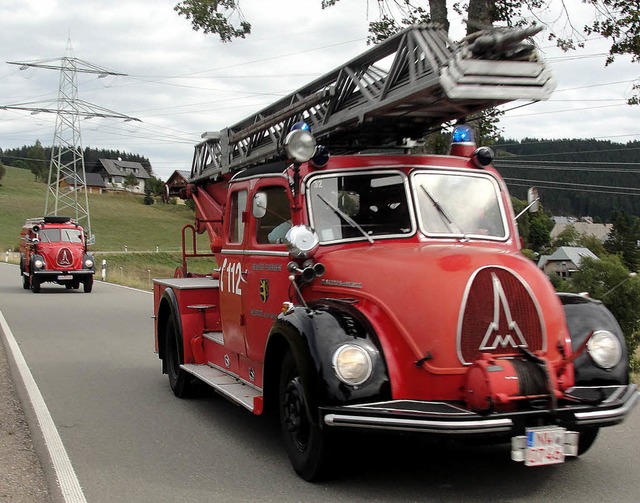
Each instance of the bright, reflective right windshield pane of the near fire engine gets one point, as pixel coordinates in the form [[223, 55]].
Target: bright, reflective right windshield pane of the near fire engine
[[459, 205]]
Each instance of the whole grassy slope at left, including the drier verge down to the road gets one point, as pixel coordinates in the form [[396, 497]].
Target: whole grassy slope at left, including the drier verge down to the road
[[117, 221]]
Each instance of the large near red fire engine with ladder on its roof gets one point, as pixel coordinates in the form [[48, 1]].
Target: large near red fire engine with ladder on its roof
[[364, 290]]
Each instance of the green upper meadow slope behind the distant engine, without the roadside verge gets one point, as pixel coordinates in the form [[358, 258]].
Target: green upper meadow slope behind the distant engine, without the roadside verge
[[116, 220]]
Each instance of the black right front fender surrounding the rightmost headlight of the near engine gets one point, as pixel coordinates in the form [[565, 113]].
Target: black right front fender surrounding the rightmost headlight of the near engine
[[585, 315]]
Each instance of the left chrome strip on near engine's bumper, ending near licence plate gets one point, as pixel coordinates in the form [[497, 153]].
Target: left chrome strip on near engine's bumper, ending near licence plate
[[423, 425]]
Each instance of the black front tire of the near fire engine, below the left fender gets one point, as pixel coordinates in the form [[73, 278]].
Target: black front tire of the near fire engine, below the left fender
[[306, 443]]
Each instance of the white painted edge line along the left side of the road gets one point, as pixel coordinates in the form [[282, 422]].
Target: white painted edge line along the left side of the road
[[65, 475]]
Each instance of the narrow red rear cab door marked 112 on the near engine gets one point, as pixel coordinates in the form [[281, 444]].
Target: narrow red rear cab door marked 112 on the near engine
[[233, 273]]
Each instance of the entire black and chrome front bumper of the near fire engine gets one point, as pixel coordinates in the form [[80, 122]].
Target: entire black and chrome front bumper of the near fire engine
[[584, 406]]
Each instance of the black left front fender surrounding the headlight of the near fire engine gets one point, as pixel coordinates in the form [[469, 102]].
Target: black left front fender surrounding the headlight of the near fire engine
[[313, 334]]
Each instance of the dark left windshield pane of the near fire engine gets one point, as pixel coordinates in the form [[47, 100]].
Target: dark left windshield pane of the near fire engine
[[359, 206]]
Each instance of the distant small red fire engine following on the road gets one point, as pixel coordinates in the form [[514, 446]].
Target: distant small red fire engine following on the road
[[54, 249]]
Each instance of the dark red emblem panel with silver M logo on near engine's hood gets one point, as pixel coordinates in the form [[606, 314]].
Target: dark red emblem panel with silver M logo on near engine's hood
[[499, 315]]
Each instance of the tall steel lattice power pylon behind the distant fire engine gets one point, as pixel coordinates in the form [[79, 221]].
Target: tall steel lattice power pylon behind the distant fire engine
[[67, 159]]
